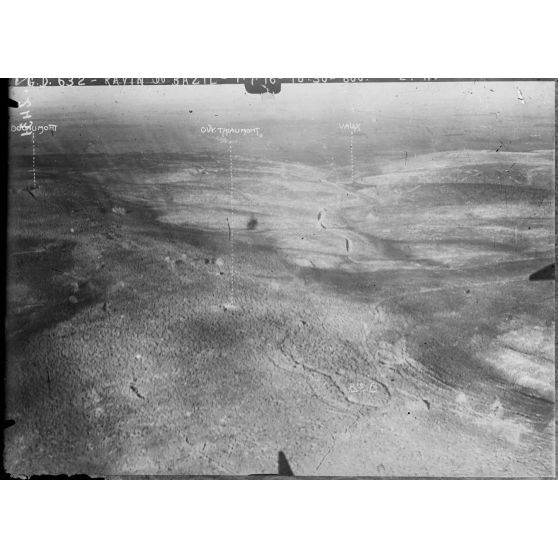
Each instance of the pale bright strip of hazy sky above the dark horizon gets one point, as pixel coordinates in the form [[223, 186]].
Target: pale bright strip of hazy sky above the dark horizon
[[305, 100]]
